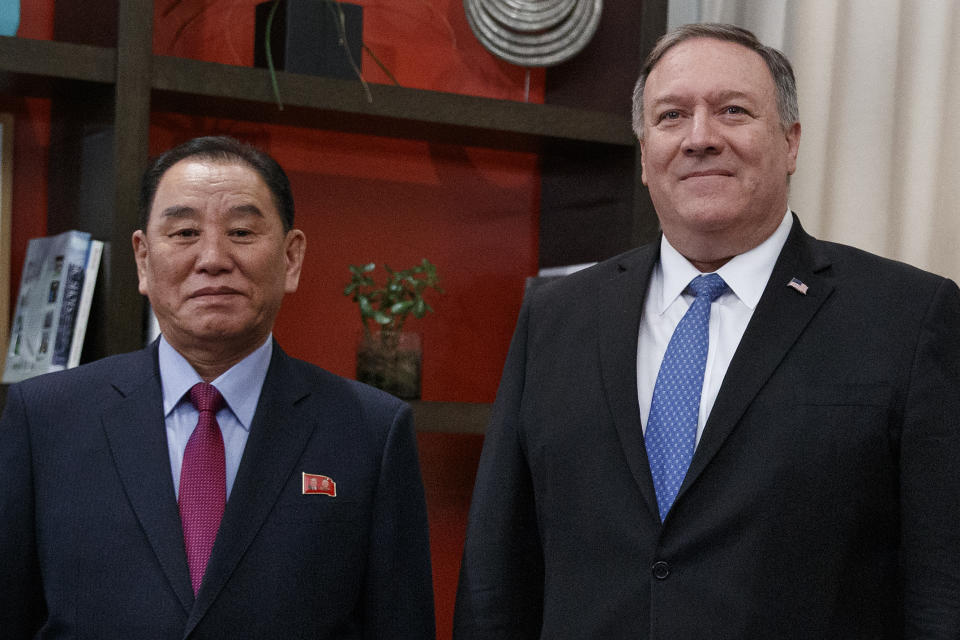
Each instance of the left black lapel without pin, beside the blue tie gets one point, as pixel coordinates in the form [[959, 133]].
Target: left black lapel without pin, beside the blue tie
[[619, 307]]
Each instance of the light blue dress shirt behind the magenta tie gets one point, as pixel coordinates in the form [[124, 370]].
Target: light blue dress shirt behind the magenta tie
[[240, 386]]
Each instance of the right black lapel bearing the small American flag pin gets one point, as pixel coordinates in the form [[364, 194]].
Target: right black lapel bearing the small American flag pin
[[778, 321]]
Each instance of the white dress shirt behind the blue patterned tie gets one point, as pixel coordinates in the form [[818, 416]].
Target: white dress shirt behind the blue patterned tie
[[667, 300]]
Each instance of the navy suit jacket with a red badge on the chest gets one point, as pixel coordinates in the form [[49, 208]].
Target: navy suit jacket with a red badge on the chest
[[90, 537]]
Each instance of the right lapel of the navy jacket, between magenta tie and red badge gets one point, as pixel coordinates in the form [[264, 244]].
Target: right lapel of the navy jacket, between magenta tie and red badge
[[278, 436]]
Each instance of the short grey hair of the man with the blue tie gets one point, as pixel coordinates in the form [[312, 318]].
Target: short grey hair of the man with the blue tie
[[776, 62]]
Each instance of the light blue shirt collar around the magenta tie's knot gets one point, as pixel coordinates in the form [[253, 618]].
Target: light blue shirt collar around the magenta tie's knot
[[240, 385]]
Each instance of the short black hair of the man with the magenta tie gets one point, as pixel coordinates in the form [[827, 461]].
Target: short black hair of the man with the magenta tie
[[219, 149]]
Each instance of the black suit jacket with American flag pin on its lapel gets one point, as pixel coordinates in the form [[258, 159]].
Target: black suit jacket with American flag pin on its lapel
[[823, 500]]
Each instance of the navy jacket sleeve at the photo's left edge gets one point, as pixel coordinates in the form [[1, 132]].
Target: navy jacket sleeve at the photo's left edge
[[22, 607]]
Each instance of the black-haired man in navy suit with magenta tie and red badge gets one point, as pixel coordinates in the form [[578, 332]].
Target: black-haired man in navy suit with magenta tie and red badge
[[291, 506]]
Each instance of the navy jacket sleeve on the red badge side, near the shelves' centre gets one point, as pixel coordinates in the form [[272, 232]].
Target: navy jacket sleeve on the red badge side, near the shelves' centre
[[398, 601]]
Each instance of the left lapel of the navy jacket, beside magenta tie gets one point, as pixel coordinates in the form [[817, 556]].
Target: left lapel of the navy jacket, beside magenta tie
[[135, 431]]
